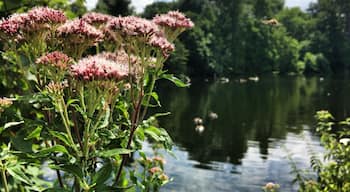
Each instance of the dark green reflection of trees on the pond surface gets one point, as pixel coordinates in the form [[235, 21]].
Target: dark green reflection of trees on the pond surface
[[246, 111]]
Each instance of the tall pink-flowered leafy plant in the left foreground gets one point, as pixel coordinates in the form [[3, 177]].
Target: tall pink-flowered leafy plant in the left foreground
[[89, 84]]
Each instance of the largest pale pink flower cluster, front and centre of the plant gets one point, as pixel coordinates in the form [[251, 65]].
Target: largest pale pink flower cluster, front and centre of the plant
[[99, 68]]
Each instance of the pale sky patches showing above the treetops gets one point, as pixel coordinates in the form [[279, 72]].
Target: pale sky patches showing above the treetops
[[141, 4]]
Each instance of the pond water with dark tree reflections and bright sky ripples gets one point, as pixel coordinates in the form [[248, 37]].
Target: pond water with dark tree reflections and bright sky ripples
[[257, 124]]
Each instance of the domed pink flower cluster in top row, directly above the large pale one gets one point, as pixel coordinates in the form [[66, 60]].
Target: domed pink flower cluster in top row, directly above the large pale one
[[79, 31]]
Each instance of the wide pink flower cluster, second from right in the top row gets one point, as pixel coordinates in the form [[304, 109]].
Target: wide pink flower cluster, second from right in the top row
[[133, 26]]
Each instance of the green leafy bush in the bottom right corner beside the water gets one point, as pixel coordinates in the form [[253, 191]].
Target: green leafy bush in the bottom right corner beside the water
[[333, 170]]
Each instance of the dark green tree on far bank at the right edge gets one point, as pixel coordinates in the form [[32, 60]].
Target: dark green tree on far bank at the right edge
[[331, 36]]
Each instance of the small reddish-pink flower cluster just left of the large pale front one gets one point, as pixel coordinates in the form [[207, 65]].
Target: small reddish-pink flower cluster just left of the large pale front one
[[56, 59]]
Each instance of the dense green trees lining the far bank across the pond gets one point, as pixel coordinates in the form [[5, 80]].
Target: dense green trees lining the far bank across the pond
[[254, 37]]
